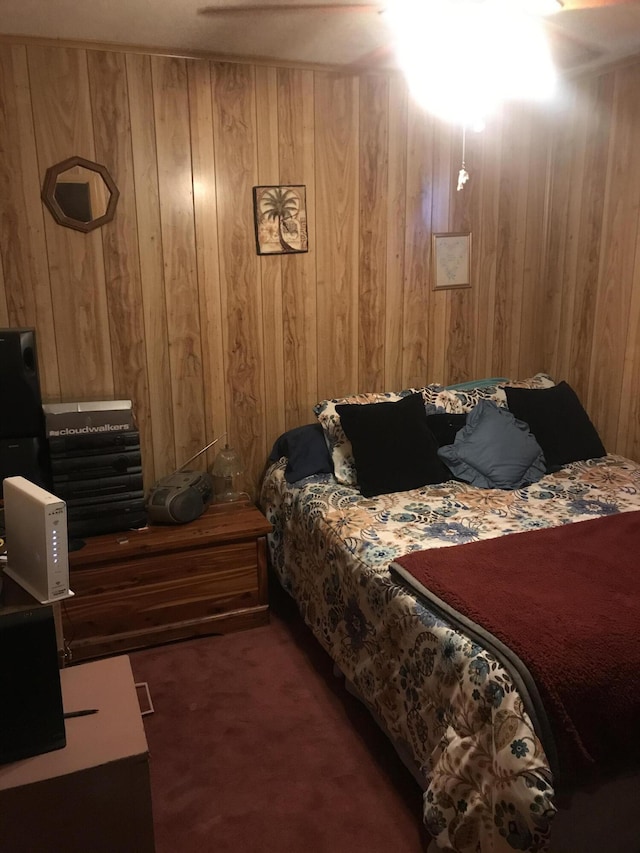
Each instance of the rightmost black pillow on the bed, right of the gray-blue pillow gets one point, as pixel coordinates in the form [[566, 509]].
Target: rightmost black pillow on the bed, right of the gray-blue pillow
[[558, 421]]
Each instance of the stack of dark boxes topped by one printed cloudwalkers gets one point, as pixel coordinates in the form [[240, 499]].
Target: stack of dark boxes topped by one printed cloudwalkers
[[96, 465]]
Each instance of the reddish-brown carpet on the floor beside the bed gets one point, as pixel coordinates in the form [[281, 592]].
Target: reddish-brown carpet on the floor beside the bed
[[256, 746]]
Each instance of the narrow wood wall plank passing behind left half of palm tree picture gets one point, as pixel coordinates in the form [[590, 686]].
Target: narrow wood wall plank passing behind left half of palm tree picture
[[270, 267]]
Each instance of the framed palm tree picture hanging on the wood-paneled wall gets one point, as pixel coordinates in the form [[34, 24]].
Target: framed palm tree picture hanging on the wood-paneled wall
[[280, 215]]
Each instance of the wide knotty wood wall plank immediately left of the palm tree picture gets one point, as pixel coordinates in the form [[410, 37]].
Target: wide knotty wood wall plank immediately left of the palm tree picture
[[234, 112]]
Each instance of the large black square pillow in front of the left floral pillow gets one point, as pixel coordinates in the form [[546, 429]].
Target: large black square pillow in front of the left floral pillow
[[393, 448]]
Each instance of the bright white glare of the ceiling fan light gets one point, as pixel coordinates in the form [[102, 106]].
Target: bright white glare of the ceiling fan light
[[462, 58]]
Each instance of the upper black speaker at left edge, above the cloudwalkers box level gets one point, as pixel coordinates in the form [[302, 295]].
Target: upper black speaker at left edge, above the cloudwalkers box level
[[20, 400]]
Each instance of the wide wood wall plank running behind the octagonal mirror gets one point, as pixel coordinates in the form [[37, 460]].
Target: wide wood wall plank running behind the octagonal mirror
[[62, 117]]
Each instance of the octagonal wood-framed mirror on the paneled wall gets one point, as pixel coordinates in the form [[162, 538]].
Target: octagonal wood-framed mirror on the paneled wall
[[80, 194]]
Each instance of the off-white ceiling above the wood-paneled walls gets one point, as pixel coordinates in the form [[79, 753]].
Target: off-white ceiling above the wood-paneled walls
[[339, 34]]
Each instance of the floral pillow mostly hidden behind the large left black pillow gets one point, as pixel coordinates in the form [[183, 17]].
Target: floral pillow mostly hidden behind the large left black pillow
[[344, 468]]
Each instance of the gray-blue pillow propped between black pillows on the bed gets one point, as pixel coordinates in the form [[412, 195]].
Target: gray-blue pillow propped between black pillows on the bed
[[494, 450]]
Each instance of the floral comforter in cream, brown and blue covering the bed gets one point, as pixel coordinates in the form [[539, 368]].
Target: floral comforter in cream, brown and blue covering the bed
[[443, 699]]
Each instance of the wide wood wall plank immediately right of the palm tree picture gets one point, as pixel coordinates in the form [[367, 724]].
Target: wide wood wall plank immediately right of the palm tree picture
[[336, 109]]
